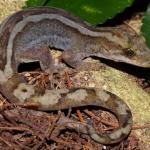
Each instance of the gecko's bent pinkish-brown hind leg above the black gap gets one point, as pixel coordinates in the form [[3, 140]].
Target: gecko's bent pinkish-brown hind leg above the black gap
[[38, 53]]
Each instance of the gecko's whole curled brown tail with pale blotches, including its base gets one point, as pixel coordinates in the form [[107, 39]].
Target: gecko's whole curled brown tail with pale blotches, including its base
[[58, 99]]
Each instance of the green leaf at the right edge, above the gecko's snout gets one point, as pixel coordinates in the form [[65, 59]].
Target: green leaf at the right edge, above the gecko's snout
[[146, 26]]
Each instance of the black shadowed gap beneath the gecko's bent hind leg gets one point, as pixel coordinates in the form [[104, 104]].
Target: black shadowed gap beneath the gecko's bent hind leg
[[30, 66]]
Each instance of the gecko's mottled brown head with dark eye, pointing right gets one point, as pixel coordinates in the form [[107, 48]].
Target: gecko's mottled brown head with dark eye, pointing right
[[133, 47]]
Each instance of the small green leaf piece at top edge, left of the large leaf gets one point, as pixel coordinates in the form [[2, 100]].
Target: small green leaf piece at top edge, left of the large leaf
[[32, 3]]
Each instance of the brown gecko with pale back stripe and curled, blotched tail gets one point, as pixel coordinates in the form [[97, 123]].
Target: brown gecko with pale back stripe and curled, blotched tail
[[27, 35]]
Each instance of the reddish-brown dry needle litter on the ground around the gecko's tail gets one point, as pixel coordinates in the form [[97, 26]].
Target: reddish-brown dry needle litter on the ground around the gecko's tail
[[28, 129]]
